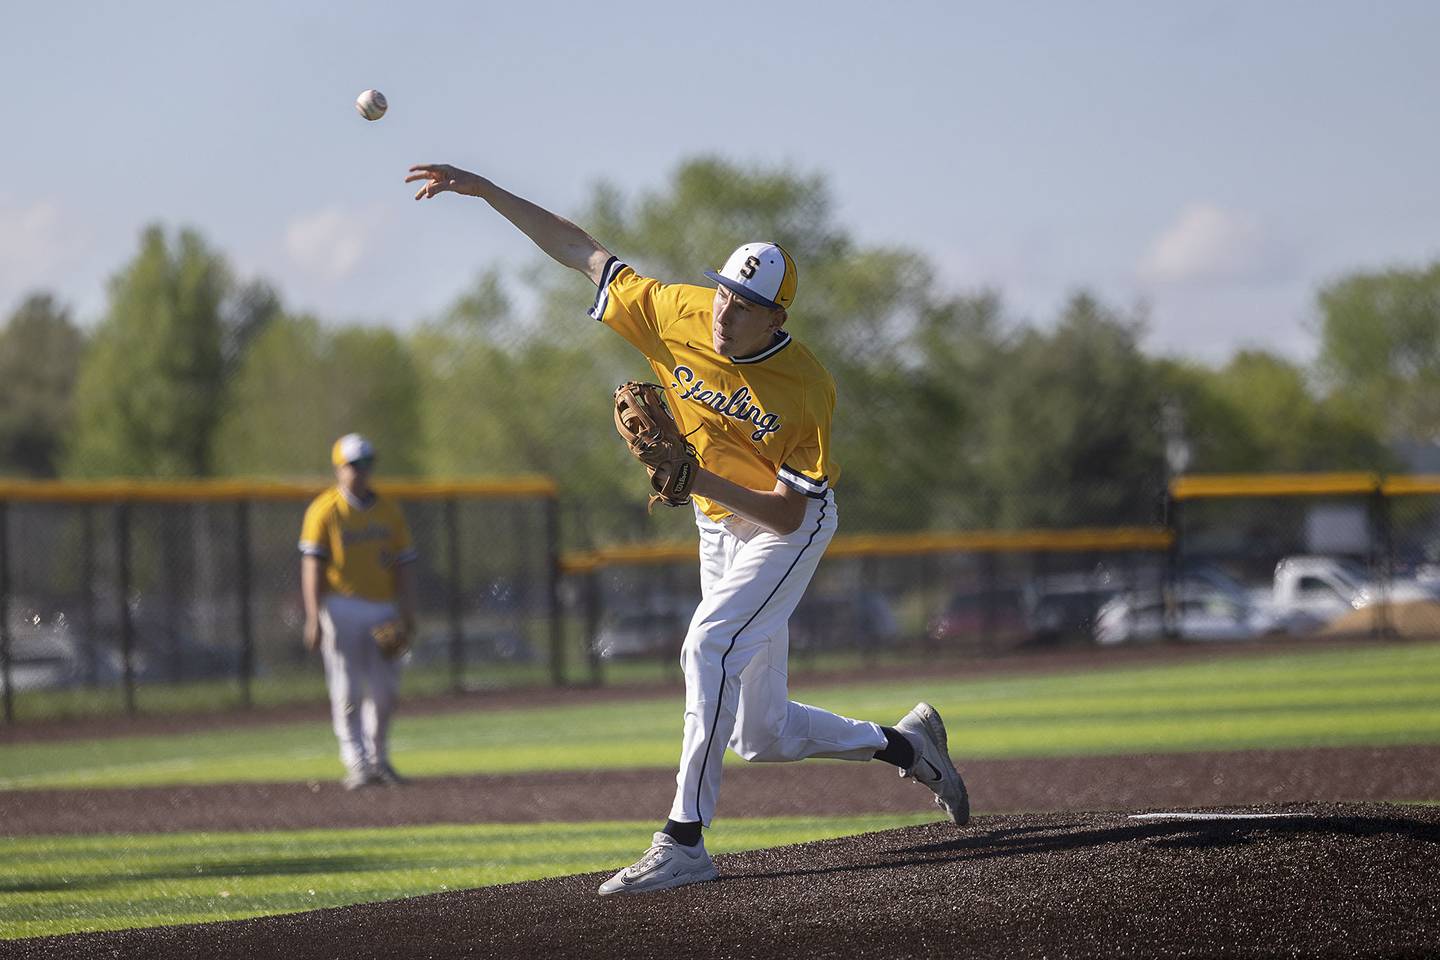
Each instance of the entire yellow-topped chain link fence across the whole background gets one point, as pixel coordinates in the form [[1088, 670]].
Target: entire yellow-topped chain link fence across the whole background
[[153, 598]]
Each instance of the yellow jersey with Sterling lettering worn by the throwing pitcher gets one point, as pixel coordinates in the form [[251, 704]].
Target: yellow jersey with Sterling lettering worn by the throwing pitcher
[[761, 418]]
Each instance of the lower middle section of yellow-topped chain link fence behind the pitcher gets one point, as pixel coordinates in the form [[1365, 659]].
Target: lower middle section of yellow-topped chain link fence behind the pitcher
[[878, 599]]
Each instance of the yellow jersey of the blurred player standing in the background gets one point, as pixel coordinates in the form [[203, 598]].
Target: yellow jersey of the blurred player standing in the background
[[364, 543]]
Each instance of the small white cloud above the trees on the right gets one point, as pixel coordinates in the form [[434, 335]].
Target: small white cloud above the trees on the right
[[1207, 244]]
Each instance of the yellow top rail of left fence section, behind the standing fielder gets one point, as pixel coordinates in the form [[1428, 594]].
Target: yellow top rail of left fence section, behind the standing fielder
[[233, 490]]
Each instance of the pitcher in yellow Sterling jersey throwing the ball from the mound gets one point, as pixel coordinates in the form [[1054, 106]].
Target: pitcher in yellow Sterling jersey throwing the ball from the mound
[[755, 409]]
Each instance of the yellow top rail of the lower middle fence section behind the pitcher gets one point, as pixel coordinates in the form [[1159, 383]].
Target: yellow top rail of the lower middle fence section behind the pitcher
[[904, 545]]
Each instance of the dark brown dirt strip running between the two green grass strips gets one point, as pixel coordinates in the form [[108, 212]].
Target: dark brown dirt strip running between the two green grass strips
[[791, 789]]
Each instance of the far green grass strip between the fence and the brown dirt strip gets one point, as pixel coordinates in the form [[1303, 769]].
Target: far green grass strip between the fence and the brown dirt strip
[[1377, 697]]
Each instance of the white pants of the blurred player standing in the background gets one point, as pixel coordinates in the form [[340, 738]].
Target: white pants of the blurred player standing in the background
[[364, 686]]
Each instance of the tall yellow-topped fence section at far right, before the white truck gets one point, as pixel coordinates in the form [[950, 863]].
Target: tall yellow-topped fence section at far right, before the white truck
[[1338, 555]]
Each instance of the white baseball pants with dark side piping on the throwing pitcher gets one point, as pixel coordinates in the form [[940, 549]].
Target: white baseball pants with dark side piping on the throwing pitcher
[[737, 658]]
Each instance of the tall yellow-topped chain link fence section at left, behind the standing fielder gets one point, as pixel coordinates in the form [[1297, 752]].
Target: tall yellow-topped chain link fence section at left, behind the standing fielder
[[153, 598]]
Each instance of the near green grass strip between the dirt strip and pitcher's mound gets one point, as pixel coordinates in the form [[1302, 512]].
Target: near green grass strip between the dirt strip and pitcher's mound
[[64, 884]]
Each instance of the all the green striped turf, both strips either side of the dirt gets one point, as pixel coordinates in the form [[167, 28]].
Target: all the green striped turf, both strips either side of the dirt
[[1379, 696]]
